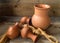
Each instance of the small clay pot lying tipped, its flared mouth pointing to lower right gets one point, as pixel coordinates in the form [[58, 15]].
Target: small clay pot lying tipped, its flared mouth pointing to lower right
[[25, 33]]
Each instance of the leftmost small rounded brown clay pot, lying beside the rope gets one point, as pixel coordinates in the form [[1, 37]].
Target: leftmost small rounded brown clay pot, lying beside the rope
[[13, 31]]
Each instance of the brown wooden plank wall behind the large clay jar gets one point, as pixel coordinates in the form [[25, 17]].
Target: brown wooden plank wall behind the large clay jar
[[25, 7]]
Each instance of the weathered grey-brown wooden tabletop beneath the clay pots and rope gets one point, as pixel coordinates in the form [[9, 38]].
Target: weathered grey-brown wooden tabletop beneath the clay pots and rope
[[53, 30]]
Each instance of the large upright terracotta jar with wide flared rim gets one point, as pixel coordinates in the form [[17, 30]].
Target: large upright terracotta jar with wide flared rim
[[40, 17]]
